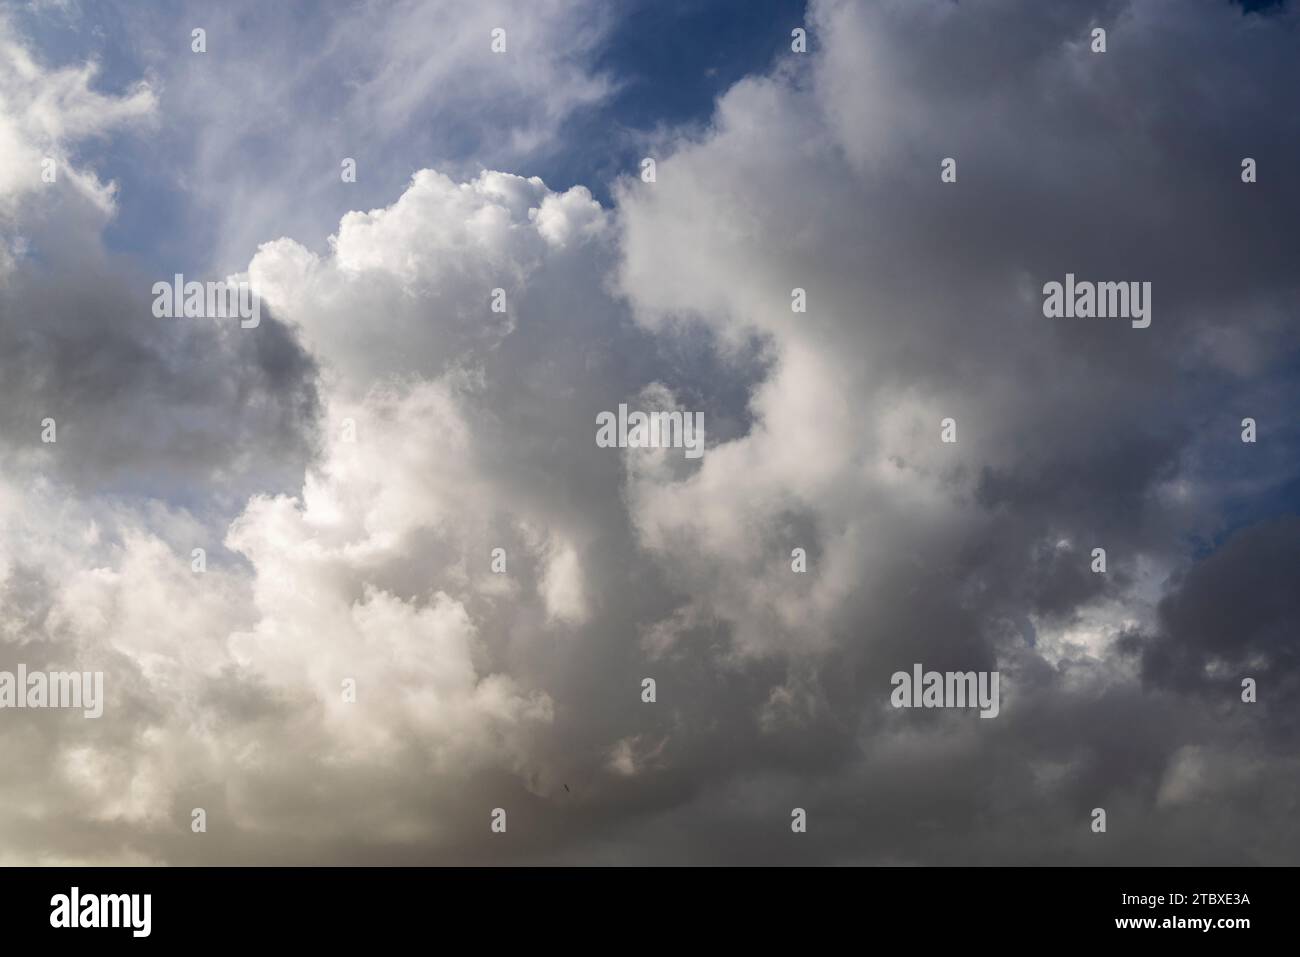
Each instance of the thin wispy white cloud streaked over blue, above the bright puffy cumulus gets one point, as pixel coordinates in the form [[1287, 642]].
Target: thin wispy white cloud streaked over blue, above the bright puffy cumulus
[[379, 84]]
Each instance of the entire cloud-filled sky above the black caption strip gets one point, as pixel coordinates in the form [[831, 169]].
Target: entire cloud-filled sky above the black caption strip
[[430, 599]]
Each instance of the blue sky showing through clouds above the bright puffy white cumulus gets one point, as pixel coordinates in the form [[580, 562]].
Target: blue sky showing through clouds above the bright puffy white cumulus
[[666, 64]]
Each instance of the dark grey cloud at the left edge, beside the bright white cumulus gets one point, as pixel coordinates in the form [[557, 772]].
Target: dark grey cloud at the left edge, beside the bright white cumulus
[[168, 408]]
